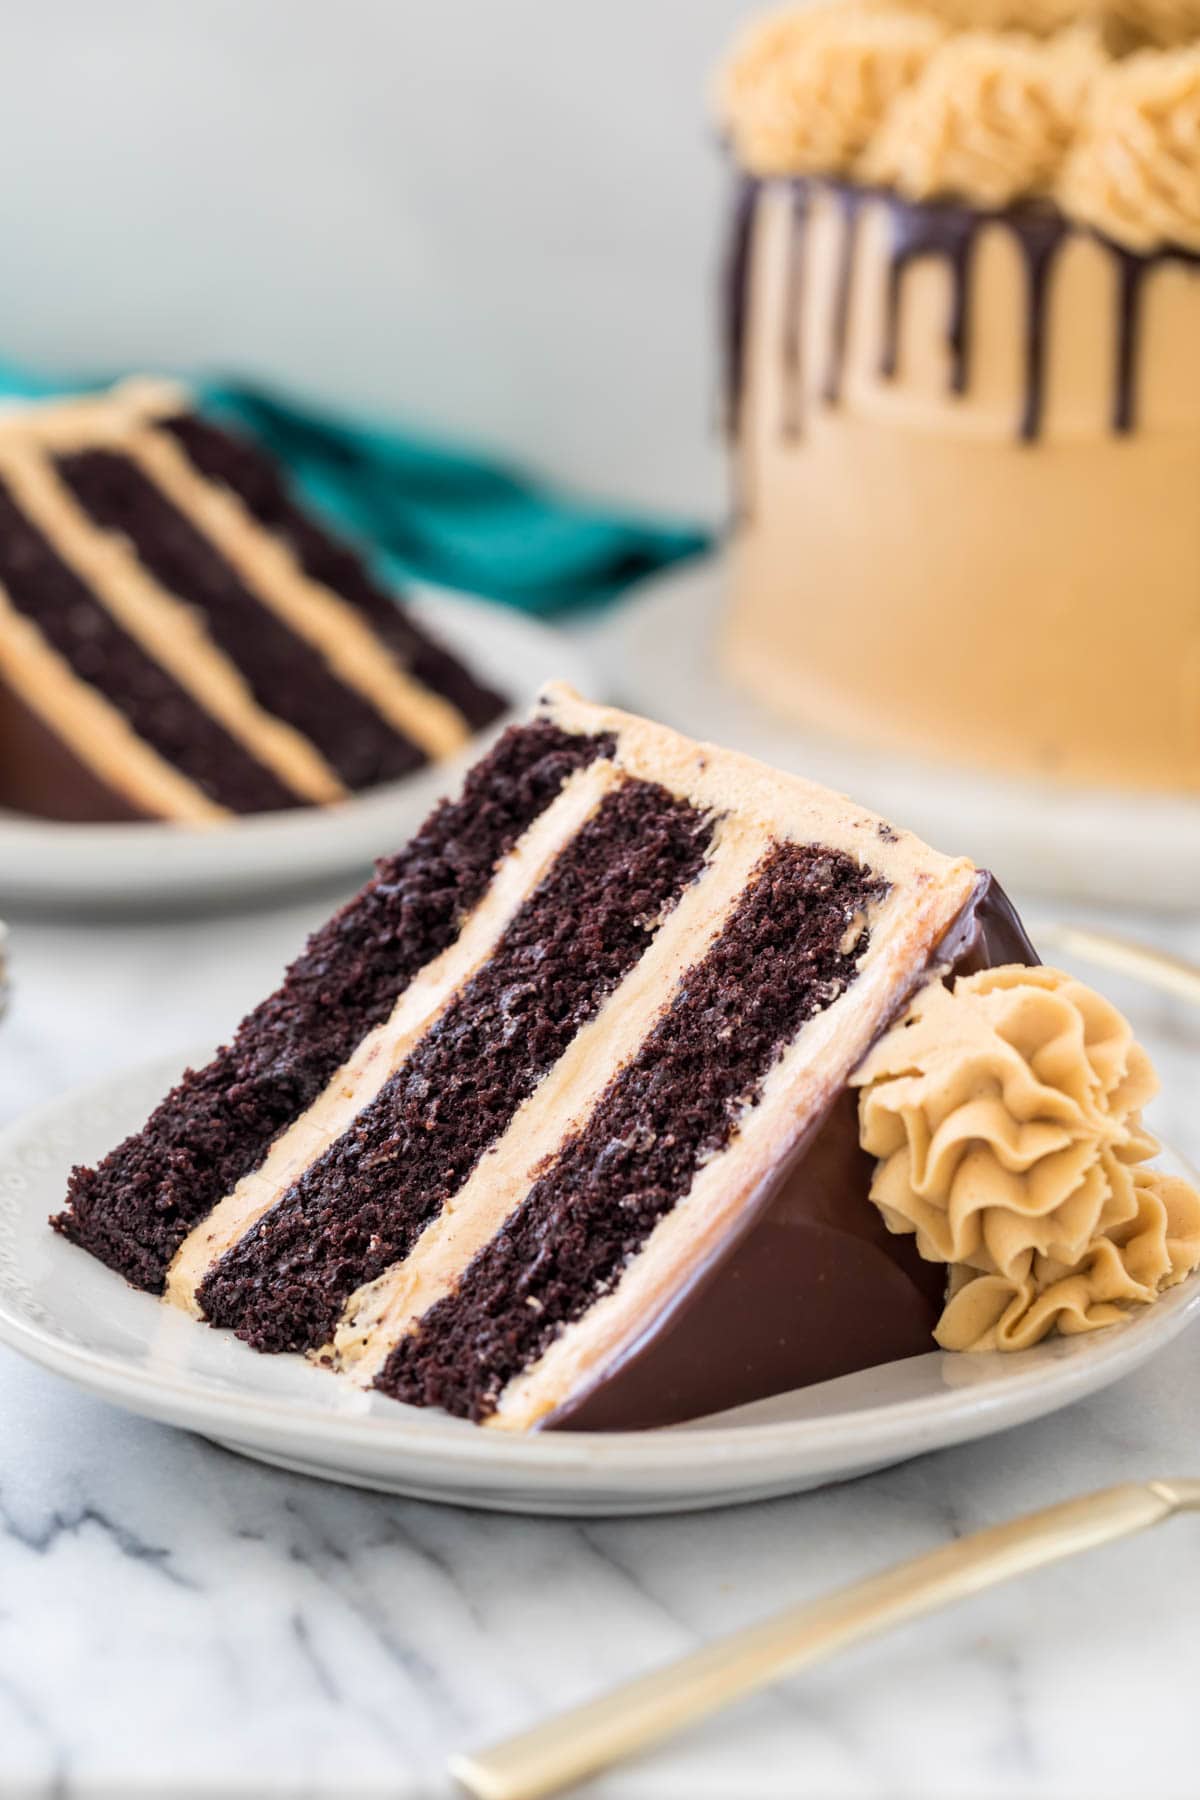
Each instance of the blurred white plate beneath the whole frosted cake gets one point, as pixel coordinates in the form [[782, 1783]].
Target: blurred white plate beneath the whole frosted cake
[[1140, 850]]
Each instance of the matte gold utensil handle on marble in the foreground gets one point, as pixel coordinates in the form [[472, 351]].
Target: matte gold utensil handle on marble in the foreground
[[591, 1738]]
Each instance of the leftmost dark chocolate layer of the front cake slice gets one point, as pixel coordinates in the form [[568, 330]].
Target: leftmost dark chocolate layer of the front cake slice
[[138, 1207]]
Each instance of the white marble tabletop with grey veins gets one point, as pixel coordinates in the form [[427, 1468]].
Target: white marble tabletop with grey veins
[[179, 1623]]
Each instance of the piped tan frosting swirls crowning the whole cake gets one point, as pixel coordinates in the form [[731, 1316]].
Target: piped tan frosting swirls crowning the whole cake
[[1041, 105]]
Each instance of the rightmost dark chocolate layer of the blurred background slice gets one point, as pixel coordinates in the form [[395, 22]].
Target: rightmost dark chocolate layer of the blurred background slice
[[242, 467]]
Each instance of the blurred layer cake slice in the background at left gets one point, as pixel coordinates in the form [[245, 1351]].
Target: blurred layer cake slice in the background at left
[[181, 640]]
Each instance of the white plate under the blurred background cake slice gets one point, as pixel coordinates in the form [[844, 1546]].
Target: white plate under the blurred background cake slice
[[159, 865]]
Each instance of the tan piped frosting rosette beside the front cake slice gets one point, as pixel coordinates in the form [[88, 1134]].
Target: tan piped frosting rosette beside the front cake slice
[[1005, 1115]]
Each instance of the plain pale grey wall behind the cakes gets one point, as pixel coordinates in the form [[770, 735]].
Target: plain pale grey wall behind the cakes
[[499, 219]]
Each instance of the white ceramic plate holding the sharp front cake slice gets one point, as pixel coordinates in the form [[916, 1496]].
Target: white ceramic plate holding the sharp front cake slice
[[71, 1315]]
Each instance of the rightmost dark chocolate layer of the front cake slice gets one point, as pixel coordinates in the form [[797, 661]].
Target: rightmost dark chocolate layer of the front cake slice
[[787, 953]]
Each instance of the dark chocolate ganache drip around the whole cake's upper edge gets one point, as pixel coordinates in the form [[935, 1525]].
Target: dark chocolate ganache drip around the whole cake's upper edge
[[927, 229]]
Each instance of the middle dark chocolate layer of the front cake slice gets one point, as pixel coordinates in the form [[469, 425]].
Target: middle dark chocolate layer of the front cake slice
[[366, 1201]]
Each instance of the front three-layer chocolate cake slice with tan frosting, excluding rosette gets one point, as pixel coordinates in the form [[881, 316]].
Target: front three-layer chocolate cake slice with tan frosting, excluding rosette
[[557, 1122]]
